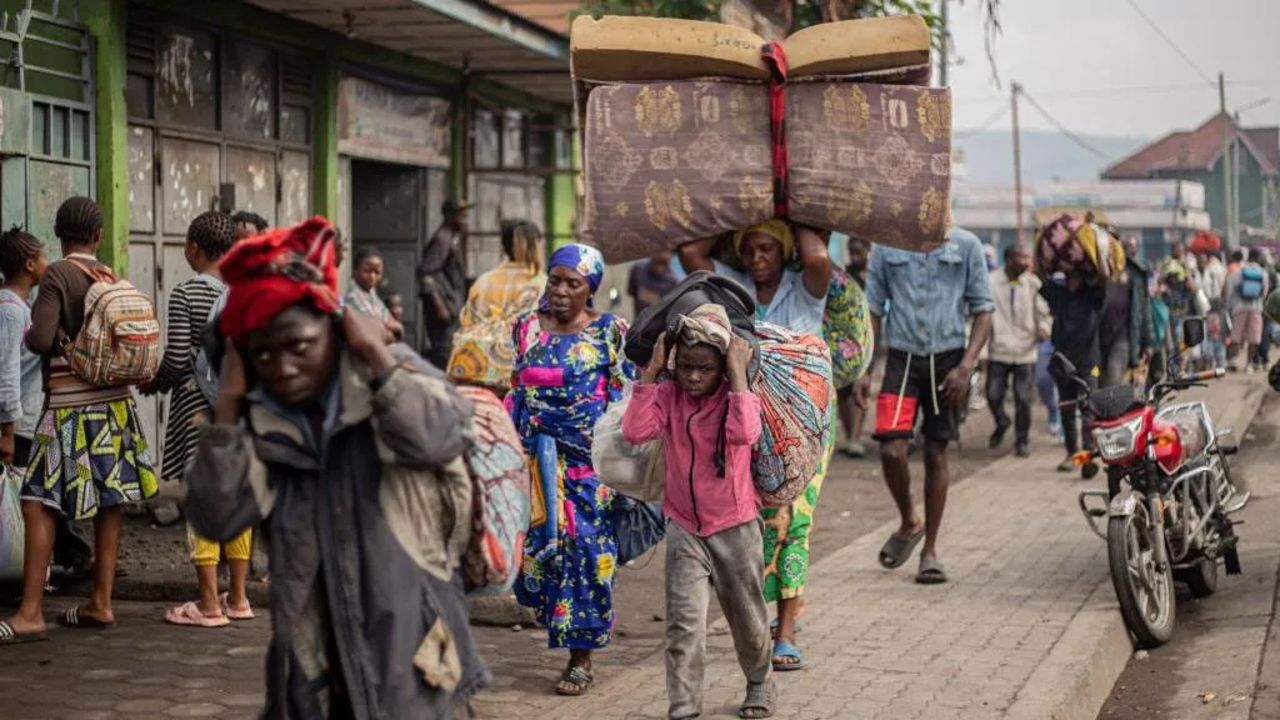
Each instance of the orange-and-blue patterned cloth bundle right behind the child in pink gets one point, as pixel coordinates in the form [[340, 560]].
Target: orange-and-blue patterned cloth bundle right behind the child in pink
[[792, 376]]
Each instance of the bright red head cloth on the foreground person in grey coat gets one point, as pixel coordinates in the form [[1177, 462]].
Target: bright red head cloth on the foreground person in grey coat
[[272, 272]]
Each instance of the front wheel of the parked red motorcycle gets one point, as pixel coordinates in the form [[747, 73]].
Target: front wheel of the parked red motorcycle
[[1145, 593]]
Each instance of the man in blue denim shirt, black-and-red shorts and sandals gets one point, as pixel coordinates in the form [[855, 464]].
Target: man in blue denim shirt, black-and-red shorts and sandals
[[920, 304]]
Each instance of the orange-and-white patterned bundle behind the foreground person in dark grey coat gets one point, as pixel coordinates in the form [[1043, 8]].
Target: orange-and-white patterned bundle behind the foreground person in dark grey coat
[[500, 473]]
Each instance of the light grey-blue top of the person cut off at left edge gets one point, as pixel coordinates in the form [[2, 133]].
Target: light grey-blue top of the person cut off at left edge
[[21, 391]]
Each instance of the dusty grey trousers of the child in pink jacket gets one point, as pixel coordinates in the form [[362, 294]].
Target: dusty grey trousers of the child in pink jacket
[[733, 563]]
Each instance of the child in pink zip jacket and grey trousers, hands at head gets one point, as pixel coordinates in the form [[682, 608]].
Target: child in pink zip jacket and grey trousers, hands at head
[[708, 420]]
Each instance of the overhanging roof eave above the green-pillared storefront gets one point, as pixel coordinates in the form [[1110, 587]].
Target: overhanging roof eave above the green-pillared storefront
[[491, 42]]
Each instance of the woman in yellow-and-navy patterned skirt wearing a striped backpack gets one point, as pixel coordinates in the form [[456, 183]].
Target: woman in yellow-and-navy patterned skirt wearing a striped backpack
[[89, 455]]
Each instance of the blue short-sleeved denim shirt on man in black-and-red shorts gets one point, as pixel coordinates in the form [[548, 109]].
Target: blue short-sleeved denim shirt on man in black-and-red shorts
[[925, 299]]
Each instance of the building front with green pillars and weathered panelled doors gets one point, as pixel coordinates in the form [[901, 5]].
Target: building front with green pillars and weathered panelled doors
[[372, 115]]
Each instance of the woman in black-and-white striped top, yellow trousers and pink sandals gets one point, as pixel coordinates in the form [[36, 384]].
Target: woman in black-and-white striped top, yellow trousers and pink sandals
[[209, 238]]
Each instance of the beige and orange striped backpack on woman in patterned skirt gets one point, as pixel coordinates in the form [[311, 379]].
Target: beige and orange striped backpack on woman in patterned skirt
[[120, 343]]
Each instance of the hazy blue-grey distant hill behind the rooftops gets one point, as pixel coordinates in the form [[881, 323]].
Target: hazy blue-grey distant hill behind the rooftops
[[989, 157]]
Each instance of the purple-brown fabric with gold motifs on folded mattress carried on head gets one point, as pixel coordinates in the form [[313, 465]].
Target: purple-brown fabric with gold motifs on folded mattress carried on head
[[674, 162]]
